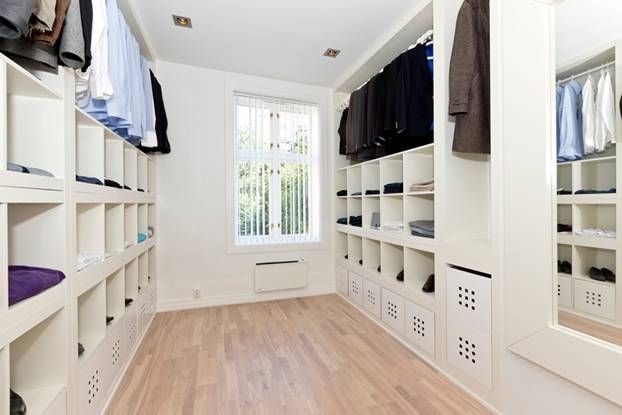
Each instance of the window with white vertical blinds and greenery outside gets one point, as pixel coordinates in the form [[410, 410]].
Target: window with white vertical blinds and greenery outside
[[276, 178]]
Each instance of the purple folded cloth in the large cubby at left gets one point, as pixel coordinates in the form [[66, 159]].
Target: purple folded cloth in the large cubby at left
[[26, 282]]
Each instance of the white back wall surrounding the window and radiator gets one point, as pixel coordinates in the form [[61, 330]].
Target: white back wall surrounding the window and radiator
[[192, 195]]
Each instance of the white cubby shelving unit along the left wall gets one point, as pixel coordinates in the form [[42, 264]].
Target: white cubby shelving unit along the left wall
[[47, 222]]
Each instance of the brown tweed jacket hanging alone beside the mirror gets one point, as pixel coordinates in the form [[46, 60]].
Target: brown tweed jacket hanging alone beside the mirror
[[469, 79]]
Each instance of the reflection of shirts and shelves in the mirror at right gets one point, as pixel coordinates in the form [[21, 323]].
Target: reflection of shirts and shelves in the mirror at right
[[588, 91]]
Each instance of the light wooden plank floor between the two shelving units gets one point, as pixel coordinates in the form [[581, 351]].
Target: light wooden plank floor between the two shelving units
[[314, 355]]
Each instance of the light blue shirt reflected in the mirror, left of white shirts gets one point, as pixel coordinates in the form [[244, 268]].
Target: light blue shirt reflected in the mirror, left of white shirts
[[571, 126]]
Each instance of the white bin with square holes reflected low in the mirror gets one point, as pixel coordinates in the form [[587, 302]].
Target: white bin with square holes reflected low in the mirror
[[596, 299]]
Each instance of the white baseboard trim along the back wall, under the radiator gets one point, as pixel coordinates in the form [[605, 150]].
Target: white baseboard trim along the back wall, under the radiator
[[220, 300]]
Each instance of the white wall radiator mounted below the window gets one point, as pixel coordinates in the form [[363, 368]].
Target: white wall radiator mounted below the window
[[281, 275]]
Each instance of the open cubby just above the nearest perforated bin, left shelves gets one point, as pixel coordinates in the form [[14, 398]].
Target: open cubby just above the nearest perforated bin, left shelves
[[92, 319]]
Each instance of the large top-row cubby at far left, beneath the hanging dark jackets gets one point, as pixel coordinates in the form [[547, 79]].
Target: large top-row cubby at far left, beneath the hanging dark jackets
[[34, 126]]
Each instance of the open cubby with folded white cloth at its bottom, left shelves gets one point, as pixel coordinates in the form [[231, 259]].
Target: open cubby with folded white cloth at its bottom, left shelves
[[90, 228]]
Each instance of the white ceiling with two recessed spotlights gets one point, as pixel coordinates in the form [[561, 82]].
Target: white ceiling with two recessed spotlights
[[282, 39]]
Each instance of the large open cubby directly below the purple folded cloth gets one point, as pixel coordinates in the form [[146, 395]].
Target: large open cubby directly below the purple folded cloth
[[38, 363]]
